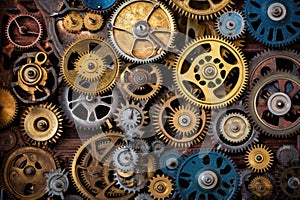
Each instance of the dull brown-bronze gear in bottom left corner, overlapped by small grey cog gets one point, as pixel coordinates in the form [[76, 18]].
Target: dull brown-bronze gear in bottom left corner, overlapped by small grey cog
[[24, 172]]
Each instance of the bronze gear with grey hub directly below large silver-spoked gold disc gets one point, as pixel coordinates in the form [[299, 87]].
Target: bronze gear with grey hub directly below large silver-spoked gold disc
[[141, 82]]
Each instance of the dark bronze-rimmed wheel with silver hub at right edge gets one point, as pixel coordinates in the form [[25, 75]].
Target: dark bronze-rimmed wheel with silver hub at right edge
[[273, 104]]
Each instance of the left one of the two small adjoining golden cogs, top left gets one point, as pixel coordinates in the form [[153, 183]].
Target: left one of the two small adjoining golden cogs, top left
[[73, 22]]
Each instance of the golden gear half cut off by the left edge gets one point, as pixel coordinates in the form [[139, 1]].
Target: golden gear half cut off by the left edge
[[8, 107]]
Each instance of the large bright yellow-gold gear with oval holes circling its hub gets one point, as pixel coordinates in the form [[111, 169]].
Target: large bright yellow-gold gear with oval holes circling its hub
[[211, 72]]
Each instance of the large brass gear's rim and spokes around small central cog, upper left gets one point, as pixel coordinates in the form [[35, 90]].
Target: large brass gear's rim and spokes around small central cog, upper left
[[81, 47]]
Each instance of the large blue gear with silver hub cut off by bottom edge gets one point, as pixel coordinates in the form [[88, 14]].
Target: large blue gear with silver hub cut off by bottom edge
[[207, 175]]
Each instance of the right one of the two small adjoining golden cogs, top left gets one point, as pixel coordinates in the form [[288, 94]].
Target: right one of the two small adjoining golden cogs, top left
[[93, 21]]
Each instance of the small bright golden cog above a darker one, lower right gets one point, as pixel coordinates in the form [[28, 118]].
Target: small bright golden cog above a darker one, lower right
[[259, 158]]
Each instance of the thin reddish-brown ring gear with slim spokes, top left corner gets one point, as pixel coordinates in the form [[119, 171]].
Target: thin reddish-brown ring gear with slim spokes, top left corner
[[24, 31]]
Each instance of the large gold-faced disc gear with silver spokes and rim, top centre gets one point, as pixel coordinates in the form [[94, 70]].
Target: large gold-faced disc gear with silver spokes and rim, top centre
[[141, 31]]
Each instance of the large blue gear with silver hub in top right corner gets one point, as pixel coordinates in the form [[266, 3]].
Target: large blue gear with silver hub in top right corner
[[274, 23]]
